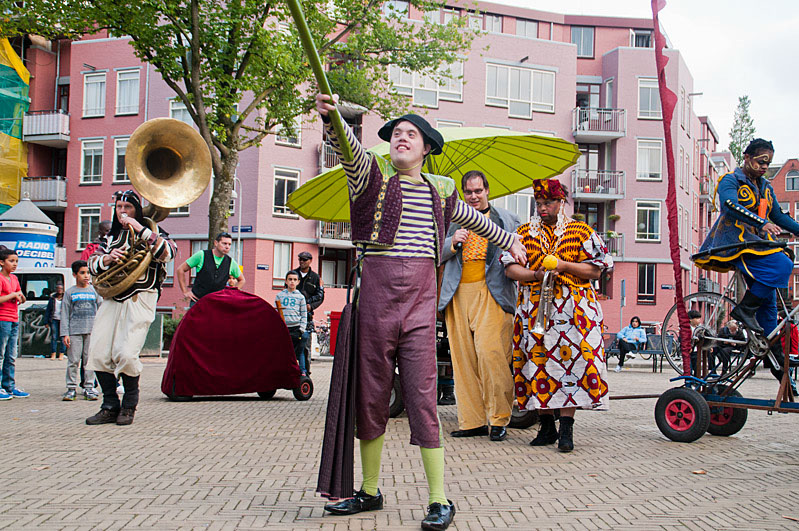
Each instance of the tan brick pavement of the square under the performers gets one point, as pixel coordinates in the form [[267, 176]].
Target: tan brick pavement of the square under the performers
[[243, 463]]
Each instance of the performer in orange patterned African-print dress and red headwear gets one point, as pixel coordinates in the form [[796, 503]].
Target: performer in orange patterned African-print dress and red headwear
[[565, 368]]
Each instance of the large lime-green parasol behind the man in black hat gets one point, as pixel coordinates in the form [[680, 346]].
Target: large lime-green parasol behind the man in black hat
[[510, 160]]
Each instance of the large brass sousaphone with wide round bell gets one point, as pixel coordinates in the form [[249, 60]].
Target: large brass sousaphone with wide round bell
[[169, 165]]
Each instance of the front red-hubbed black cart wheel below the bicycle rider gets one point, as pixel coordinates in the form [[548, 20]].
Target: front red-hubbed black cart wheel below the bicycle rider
[[682, 414]]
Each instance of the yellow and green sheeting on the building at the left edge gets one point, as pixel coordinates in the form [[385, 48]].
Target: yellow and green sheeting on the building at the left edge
[[14, 103]]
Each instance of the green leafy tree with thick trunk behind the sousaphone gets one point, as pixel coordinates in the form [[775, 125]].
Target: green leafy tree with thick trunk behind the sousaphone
[[238, 65]]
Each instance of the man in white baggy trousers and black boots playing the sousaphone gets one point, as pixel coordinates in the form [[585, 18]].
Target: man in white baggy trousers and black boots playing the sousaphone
[[123, 320]]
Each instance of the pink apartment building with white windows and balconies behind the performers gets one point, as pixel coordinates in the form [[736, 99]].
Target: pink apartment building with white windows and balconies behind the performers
[[587, 79]]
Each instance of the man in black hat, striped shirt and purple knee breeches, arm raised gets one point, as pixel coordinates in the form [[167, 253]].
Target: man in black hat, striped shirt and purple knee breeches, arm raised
[[399, 218]]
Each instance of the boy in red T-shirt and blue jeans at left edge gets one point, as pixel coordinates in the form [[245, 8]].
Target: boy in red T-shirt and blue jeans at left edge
[[10, 298]]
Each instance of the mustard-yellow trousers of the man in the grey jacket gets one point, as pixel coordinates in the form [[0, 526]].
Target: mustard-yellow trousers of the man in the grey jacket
[[480, 334]]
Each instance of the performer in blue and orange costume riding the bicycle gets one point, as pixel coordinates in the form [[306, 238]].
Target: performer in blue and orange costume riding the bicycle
[[750, 213]]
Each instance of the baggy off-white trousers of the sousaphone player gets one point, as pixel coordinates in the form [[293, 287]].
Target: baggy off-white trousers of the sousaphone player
[[119, 332]]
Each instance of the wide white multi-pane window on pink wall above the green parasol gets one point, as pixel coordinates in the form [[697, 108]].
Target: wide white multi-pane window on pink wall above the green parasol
[[520, 90]]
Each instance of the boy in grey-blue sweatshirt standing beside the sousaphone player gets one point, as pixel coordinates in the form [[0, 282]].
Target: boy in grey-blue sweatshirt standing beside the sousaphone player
[[77, 317]]
